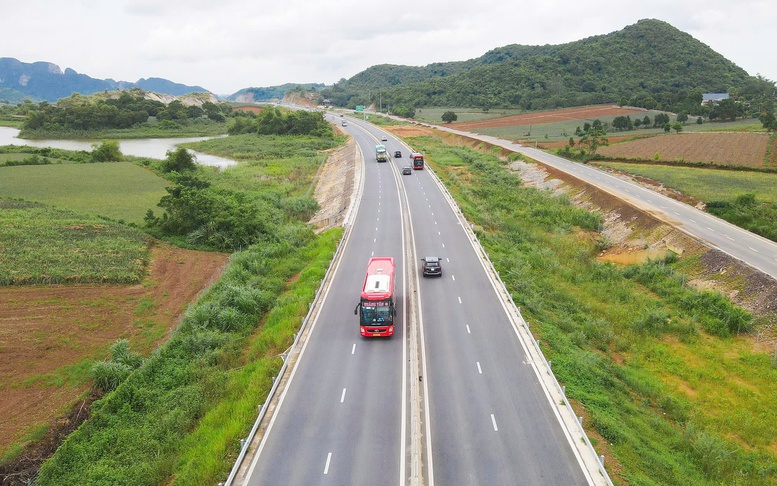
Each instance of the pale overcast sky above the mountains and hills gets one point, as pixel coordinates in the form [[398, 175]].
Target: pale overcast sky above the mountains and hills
[[228, 45]]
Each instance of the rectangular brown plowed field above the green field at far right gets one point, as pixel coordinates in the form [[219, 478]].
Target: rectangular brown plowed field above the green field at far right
[[741, 149]]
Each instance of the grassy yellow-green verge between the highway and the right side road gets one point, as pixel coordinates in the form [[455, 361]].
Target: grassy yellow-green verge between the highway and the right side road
[[671, 391]]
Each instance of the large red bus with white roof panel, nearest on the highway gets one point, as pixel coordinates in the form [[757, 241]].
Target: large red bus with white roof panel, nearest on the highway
[[376, 309]]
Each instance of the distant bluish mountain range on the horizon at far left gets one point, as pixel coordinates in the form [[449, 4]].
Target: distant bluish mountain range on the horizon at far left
[[44, 81]]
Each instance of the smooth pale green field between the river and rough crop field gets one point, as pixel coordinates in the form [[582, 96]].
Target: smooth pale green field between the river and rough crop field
[[120, 191]]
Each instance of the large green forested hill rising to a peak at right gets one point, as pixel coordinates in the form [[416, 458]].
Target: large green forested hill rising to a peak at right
[[650, 63]]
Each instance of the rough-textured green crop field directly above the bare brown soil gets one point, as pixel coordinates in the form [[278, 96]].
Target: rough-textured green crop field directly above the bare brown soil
[[42, 245]]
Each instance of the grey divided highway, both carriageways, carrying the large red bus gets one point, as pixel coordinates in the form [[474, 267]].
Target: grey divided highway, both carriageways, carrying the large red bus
[[354, 411]]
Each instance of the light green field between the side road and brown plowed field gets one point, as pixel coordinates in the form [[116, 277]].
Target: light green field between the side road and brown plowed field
[[706, 184]]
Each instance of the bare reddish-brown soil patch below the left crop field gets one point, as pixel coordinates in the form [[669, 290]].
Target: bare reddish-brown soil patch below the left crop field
[[44, 329]]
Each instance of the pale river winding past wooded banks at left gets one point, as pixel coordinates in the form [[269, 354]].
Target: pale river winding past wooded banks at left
[[155, 148]]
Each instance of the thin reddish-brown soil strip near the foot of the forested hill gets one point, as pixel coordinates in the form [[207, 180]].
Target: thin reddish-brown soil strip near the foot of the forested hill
[[553, 116]]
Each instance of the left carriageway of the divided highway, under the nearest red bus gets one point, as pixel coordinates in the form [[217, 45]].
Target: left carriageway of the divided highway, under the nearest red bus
[[341, 417]]
